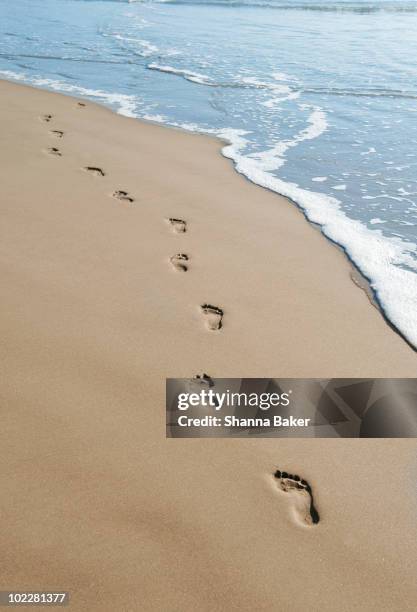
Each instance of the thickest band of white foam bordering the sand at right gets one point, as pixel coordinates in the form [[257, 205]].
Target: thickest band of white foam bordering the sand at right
[[383, 260]]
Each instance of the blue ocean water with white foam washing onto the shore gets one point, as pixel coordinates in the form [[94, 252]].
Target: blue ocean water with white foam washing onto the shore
[[316, 100]]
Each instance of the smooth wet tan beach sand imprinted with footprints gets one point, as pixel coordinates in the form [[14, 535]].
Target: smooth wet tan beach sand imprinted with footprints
[[95, 316]]
